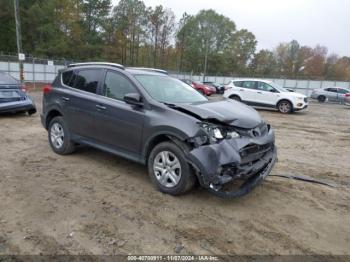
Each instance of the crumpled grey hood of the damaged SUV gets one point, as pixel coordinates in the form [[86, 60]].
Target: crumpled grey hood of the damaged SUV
[[226, 111]]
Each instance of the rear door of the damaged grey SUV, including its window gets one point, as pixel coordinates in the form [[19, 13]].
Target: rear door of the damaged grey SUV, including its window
[[79, 101]]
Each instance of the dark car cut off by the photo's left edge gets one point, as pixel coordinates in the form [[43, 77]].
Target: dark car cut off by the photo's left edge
[[13, 96]]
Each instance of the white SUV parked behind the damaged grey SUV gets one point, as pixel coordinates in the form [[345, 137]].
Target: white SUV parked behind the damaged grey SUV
[[264, 93]]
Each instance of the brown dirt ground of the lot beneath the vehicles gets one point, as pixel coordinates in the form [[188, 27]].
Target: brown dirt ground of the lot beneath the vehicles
[[92, 202]]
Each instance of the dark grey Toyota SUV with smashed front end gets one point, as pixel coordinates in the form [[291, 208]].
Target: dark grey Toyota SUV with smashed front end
[[152, 118]]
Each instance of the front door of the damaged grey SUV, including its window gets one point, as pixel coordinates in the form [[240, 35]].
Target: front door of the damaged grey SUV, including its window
[[119, 125]]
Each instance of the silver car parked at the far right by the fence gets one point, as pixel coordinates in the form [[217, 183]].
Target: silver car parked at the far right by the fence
[[333, 94]]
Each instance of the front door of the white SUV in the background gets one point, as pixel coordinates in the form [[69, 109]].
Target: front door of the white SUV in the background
[[266, 95]]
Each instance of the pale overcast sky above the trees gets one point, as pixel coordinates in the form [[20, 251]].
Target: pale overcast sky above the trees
[[310, 22]]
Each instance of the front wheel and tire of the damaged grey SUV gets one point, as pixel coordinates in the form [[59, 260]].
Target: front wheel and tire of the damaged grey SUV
[[175, 178]]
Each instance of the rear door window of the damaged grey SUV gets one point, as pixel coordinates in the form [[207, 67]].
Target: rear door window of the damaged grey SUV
[[87, 80]]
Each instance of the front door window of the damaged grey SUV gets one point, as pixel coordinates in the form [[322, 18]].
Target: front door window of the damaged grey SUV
[[117, 86]]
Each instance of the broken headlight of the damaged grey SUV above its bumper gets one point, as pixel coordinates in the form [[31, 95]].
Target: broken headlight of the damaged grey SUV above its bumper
[[216, 133]]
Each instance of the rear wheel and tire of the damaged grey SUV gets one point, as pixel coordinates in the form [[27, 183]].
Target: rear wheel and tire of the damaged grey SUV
[[59, 137]]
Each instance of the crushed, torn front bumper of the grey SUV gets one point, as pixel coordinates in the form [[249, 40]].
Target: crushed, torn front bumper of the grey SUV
[[246, 159]]
